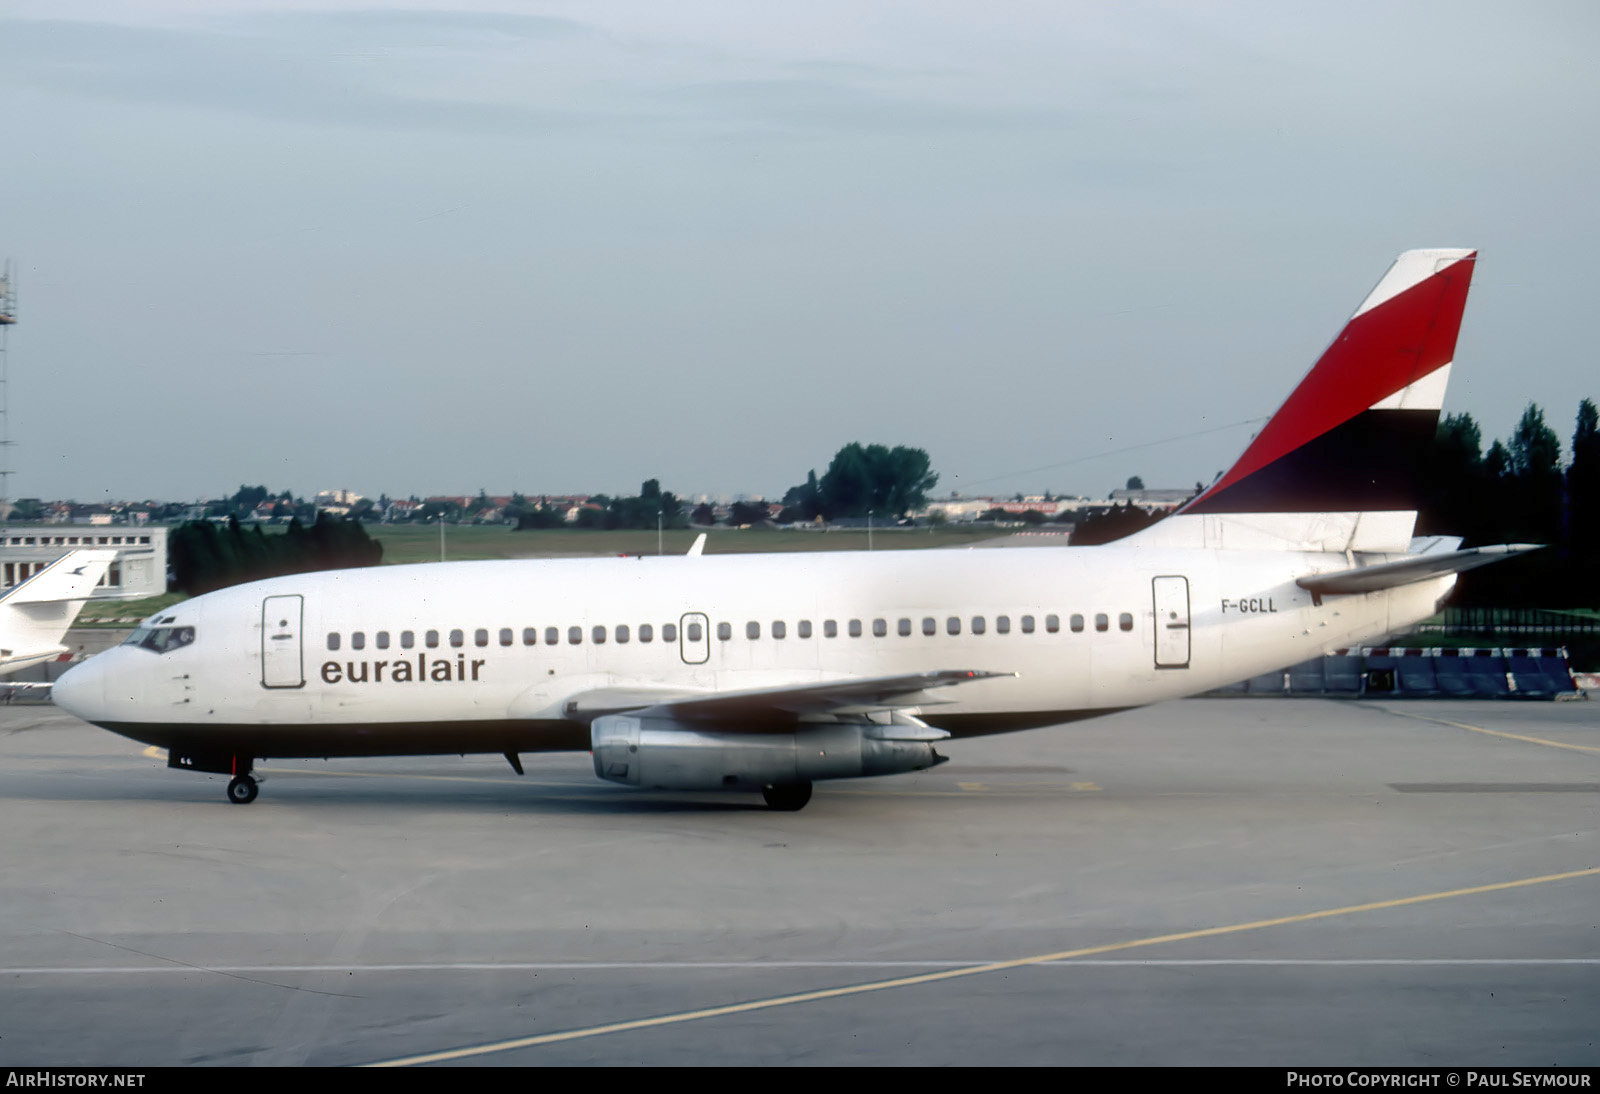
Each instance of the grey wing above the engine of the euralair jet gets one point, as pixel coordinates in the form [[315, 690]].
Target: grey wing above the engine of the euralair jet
[[759, 706]]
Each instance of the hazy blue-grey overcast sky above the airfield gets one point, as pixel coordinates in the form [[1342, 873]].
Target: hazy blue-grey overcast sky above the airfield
[[569, 247]]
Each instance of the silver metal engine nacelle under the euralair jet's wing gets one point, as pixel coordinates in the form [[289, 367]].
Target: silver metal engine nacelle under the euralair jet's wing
[[674, 756]]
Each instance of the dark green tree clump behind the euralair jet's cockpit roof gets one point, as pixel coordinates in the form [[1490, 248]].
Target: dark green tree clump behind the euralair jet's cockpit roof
[[204, 556]]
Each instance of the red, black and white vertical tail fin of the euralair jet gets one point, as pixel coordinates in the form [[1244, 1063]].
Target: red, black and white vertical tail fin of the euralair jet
[[1335, 469]]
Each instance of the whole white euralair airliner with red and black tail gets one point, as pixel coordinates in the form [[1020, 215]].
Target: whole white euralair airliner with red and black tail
[[769, 673]]
